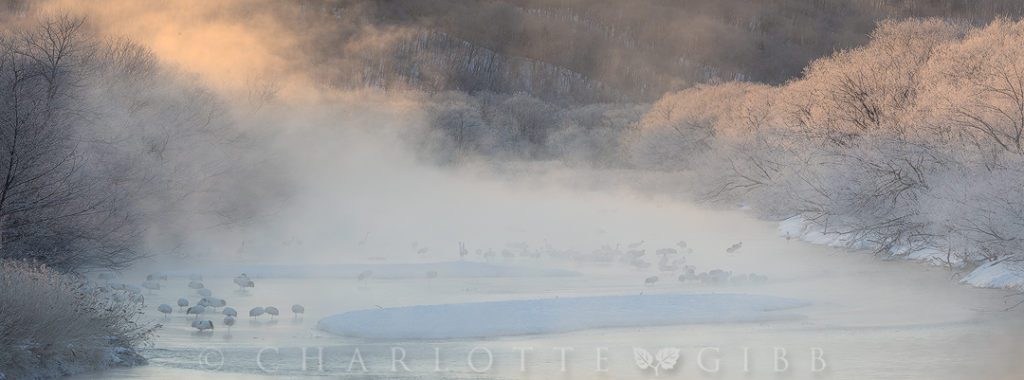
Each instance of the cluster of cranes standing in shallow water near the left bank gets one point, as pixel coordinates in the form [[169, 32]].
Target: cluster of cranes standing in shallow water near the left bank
[[210, 304]]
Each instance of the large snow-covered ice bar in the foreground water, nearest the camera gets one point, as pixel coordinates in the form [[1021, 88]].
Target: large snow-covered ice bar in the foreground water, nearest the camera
[[556, 316]]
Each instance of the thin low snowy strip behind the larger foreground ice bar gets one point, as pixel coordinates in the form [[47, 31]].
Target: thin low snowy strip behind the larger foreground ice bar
[[381, 271]]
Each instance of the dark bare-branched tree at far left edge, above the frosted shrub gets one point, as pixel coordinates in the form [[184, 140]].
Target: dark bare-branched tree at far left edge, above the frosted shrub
[[51, 208]]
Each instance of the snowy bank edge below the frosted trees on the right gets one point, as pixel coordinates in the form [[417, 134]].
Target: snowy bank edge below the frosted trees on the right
[[1001, 275]]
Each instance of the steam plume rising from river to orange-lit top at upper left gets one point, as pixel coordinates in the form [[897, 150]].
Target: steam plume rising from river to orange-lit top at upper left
[[348, 164]]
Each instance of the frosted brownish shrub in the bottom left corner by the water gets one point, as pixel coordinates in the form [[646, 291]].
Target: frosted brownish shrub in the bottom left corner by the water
[[54, 325]]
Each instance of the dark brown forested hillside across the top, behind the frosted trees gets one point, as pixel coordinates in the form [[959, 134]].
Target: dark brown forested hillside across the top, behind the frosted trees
[[600, 51]]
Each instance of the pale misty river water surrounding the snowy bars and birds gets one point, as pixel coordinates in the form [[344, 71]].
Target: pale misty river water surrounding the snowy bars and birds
[[869, 319]]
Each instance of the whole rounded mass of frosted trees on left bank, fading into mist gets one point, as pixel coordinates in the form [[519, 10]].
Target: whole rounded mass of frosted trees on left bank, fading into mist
[[102, 150]]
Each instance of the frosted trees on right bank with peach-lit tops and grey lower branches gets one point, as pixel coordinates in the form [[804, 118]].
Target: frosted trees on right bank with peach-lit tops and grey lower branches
[[912, 141]]
